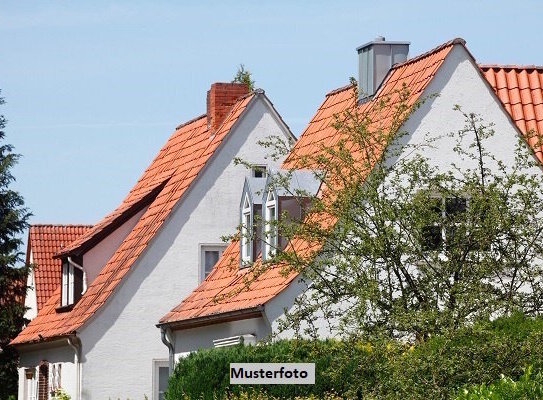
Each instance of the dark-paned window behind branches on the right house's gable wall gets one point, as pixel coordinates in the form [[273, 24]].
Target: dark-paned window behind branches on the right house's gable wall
[[434, 236]]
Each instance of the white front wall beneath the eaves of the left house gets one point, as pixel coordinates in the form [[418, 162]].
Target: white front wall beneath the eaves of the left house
[[54, 353]]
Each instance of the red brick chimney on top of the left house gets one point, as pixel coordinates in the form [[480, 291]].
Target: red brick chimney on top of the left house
[[220, 99]]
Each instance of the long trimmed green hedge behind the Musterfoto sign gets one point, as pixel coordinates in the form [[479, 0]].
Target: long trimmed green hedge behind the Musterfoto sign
[[435, 369]]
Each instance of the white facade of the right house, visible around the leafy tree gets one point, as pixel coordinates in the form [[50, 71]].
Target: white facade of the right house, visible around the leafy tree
[[457, 82]]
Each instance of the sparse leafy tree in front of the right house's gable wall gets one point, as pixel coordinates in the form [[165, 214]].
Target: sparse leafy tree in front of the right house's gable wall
[[394, 246]]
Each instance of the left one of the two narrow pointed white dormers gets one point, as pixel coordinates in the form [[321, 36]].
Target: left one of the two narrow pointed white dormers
[[250, 206]]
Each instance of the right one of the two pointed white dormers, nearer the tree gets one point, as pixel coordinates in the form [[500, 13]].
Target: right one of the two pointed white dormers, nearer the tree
[[286, 195]]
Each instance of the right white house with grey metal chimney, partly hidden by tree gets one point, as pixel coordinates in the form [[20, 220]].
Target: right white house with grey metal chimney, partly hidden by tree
[[223, 310]]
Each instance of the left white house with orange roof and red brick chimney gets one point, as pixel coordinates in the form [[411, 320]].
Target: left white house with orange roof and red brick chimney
[[96, 336]]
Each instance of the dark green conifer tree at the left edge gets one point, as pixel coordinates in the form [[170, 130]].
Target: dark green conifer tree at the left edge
[[13, 221]]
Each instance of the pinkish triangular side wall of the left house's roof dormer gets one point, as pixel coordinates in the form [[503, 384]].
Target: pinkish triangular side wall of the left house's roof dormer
[[95, 259]]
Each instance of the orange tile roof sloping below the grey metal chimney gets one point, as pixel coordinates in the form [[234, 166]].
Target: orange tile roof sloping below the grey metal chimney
[[227, 289]]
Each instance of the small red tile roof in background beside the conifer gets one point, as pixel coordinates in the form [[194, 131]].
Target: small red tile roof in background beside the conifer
[[45, 241]]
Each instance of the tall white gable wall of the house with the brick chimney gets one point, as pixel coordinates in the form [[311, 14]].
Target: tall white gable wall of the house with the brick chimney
[[120, 343]]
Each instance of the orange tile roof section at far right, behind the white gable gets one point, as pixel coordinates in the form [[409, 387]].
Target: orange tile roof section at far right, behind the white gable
[[520, 89]]
